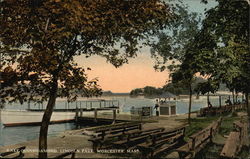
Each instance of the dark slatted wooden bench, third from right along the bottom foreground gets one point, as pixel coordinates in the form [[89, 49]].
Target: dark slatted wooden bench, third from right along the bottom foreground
[[162, 141]]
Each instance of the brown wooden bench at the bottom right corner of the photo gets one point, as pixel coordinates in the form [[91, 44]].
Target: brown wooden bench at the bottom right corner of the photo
[[236, 140]]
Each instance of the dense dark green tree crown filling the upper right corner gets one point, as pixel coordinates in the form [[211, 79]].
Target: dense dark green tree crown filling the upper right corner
[[223, 44]]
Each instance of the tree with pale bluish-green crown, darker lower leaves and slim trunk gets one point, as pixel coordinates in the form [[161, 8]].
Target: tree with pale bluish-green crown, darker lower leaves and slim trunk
[[174, 44]]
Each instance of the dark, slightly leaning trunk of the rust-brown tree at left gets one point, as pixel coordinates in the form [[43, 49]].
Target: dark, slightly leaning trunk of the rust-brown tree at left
[[46, 120]]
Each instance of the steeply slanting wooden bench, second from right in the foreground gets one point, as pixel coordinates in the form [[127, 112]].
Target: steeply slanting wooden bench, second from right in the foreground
[[199, 140]]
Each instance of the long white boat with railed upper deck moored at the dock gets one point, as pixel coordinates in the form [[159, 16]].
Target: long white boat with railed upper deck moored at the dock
[[12, 117]]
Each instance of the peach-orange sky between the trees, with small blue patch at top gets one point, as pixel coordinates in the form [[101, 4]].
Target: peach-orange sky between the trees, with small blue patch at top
[[138, 73]]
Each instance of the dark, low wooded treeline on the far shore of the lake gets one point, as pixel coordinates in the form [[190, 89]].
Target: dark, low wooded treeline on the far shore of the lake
[[174, 88]]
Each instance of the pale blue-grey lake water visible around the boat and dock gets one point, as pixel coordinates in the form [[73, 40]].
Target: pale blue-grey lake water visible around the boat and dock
[[14, 135]]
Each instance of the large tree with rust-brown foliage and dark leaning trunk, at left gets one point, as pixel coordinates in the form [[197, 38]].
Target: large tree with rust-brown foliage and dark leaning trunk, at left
[[39, 40]]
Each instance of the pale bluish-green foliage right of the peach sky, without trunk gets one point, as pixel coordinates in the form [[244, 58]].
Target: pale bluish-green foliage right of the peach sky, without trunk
[[174, 42]]
